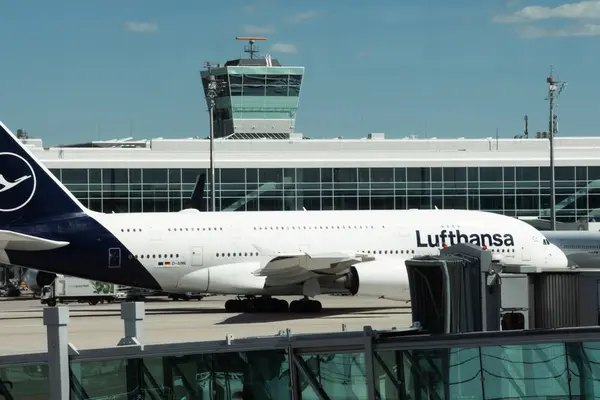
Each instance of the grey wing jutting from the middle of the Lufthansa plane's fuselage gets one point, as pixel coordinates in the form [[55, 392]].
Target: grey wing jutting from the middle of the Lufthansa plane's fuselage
[[291, 268]]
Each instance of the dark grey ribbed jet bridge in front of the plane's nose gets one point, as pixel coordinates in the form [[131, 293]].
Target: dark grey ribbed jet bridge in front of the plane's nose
[[462, 290]]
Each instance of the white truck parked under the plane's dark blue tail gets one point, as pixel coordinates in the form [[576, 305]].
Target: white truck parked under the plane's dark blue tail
[[67, 289]]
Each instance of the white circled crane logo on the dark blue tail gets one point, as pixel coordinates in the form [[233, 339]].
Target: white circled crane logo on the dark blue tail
[[17, 182]]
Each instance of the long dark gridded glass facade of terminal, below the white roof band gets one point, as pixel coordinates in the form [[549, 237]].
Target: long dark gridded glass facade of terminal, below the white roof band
[[514, 191]]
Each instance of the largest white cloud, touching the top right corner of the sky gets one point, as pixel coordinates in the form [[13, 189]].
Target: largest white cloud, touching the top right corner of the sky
[[589, 9]]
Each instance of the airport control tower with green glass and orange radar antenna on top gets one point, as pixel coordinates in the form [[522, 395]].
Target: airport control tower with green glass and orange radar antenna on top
[[256, 97]]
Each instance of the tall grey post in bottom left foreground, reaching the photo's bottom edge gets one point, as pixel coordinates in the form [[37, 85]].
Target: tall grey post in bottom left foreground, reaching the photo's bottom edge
[[56, 320]]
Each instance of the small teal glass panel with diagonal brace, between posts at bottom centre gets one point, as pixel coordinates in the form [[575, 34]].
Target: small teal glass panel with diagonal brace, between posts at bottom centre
[[341, 376]]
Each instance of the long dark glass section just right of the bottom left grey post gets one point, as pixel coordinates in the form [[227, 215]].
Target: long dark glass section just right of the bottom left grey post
[[259, 374]]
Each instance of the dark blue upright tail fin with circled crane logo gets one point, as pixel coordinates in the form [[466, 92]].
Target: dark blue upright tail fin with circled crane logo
[[28, 191]]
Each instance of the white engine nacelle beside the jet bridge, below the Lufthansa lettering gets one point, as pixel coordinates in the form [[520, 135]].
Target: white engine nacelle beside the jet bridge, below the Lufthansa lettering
[[385, 278]]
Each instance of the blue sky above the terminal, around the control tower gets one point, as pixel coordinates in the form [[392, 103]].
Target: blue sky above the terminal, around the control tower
[[81, 70]]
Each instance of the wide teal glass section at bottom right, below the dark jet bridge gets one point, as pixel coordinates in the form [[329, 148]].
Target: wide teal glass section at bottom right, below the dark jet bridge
[[495, 372]]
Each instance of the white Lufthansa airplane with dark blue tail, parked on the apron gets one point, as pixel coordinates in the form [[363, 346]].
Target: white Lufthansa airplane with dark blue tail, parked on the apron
[[255, 255]]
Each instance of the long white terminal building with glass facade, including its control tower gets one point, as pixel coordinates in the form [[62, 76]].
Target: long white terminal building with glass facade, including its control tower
[[263, 164]]
